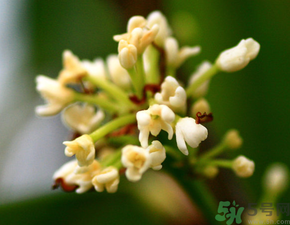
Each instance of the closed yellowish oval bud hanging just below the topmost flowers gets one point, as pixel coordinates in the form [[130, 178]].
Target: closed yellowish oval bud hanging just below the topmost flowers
[[127, 54]]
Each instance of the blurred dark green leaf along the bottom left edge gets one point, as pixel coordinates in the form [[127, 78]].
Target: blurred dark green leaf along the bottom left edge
[[70, 208]]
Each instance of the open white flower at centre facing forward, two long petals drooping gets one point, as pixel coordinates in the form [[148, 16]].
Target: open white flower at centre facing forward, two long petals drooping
[[154, 119]]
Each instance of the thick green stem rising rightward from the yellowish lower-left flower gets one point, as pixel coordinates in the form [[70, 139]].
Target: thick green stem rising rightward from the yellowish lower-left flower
[[113, 125]]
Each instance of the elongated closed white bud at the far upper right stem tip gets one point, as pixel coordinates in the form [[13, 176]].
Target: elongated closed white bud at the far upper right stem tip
[[238, 57]]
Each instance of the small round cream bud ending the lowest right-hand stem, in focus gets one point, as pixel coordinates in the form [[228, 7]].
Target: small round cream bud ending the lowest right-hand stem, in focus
[[243, 167]]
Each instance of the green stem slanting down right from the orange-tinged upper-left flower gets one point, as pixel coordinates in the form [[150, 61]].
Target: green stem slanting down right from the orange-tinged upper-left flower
[[112, 89]]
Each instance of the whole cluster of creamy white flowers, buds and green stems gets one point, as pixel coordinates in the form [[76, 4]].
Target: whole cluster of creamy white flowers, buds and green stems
[[127, 102]]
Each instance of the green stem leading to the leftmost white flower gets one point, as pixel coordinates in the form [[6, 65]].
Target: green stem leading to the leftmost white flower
[[99, 101]]
